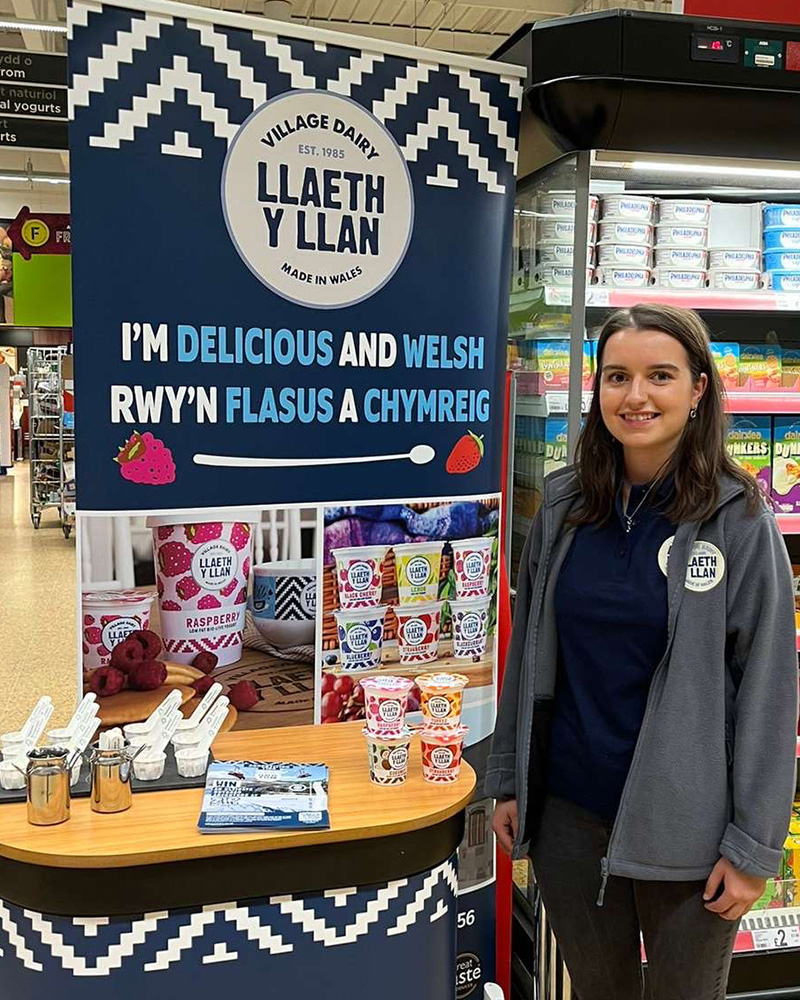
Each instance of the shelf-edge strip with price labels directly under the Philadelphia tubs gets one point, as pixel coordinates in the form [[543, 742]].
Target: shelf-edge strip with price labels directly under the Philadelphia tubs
[[602, 297]]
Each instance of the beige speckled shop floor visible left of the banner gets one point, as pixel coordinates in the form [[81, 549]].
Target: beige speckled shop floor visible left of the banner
[[37, 607]]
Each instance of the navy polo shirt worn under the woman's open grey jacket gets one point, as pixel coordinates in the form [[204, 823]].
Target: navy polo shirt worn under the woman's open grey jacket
[[611, 617]]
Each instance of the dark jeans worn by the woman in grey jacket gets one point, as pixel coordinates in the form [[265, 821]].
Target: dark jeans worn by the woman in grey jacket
[[688, 948]]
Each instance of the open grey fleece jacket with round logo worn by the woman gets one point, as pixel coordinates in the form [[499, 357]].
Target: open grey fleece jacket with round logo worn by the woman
[[714, 768]]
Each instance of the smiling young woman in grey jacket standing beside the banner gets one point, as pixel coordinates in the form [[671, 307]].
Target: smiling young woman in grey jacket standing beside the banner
[[644, 753]]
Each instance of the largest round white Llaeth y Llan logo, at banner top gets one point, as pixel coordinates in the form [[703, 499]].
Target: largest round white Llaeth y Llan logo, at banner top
[[318, 199]]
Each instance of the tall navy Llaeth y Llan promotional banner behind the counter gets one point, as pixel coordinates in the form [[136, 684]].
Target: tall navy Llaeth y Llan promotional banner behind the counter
[[290, 292]]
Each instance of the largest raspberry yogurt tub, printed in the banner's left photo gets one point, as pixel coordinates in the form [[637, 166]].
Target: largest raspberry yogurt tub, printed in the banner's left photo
[[202, 568]]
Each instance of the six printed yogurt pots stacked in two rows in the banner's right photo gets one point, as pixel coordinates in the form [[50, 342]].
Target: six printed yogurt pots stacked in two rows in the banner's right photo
[[360, 619]]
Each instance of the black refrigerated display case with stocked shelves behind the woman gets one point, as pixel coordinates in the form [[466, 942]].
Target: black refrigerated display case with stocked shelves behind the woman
[[656, 165]]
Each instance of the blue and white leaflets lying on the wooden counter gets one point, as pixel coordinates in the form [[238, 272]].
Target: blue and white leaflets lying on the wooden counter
[[247, 795]]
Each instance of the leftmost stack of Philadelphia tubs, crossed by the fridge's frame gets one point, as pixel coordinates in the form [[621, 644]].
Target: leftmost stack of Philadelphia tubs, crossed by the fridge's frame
[[555, 238]]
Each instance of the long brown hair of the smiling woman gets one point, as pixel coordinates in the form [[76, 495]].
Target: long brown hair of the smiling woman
[[700, 457]]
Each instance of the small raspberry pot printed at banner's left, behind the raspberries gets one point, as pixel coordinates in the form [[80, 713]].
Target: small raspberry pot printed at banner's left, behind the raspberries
[[109, 617]]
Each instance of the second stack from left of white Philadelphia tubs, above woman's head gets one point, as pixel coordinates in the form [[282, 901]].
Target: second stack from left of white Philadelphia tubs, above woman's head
[[625, 250]]
